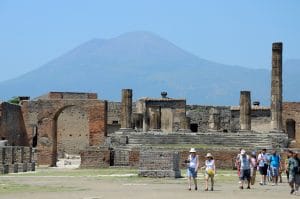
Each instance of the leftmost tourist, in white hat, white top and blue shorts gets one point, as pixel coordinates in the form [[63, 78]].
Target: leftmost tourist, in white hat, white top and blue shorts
[[193, 164]]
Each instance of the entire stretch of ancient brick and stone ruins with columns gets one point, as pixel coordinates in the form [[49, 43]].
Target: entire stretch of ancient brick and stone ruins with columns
[[152, 134]]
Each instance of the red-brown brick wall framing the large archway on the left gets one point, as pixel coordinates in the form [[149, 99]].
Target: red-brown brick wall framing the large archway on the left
[[45, 115]]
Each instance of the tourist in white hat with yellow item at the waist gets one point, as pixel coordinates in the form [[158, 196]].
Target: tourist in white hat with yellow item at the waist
[[210, 171]]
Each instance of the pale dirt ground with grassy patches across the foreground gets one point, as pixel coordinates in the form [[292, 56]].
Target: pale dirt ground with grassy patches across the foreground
[[93, 186]]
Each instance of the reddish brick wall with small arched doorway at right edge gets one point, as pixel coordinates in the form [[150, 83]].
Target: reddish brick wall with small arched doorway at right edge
[[291, 111]]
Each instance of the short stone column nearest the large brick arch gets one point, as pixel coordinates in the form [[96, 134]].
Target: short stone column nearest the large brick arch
[[126, 109]]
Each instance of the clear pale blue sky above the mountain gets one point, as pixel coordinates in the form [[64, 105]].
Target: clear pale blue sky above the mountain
[[236, 32]]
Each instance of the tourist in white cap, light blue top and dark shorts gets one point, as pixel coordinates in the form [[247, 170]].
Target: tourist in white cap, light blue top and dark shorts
[[245, 169]]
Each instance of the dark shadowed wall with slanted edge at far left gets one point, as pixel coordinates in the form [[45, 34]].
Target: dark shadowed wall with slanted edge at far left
[[12, 125]]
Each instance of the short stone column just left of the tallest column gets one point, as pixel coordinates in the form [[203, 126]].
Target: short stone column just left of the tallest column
[[245, 110]]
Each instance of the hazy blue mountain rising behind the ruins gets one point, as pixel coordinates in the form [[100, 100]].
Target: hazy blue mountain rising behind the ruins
[[148, 64]]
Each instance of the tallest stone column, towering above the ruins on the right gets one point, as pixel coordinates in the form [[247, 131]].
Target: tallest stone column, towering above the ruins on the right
[[276, 87]]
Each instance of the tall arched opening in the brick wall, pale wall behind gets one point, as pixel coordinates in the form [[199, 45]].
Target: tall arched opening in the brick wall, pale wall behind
[[71, 135]]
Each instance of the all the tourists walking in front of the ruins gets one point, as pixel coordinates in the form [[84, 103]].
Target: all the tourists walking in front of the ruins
[[269, 166]]
